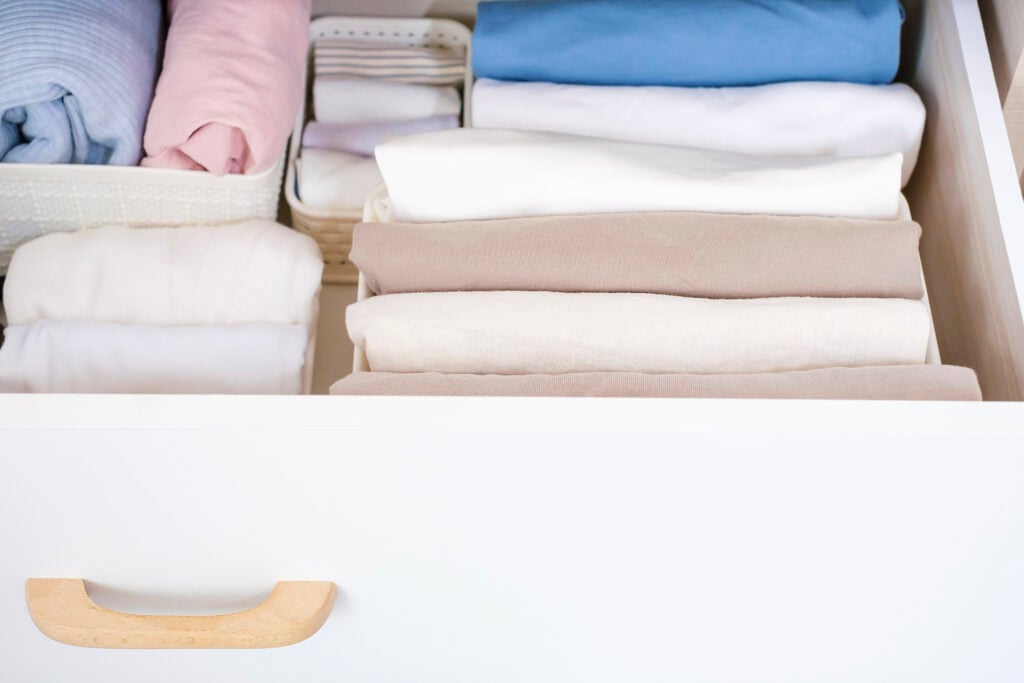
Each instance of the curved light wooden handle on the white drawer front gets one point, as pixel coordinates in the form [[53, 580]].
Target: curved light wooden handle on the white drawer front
[[63, 610]]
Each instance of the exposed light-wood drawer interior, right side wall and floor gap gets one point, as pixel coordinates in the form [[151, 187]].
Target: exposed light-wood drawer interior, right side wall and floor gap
[[964, 194]]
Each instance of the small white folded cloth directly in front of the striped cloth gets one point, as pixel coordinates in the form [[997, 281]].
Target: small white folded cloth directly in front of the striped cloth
[[363, 101]]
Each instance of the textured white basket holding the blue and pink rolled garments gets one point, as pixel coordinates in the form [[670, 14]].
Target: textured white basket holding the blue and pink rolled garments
[[38, 199]]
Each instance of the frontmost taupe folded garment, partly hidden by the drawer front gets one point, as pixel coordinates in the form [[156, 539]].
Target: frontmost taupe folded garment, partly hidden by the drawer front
[[879, 383]]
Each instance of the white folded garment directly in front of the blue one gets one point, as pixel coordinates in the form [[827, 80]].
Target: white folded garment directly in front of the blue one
[[807, 119]]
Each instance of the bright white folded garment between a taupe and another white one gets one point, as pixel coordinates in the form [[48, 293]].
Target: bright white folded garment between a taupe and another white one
[[511, 174]]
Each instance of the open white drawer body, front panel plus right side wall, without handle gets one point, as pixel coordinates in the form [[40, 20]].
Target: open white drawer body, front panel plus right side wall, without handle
[[511, 540]]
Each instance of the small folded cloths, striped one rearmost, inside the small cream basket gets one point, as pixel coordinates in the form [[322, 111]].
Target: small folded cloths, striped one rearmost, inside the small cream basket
[[365, 94]]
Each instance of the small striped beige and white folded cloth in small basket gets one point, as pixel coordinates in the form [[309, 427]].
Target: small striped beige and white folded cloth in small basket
[[402, 64]]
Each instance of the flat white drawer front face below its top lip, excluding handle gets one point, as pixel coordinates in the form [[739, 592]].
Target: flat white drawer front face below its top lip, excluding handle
[[545, 557]]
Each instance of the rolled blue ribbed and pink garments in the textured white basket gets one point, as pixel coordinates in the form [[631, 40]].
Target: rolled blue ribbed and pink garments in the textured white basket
[[81, 82]]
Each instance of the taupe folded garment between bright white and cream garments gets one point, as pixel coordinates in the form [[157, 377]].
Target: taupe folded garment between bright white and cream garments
[[688, 254]]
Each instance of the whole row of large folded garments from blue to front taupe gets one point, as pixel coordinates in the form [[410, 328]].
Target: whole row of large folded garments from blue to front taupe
[[657, 205]]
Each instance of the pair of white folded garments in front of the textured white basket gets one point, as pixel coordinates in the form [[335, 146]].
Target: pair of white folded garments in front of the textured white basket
[[199, 310]]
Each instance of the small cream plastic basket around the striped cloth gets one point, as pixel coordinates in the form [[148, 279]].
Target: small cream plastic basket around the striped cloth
[[333, 230]]
